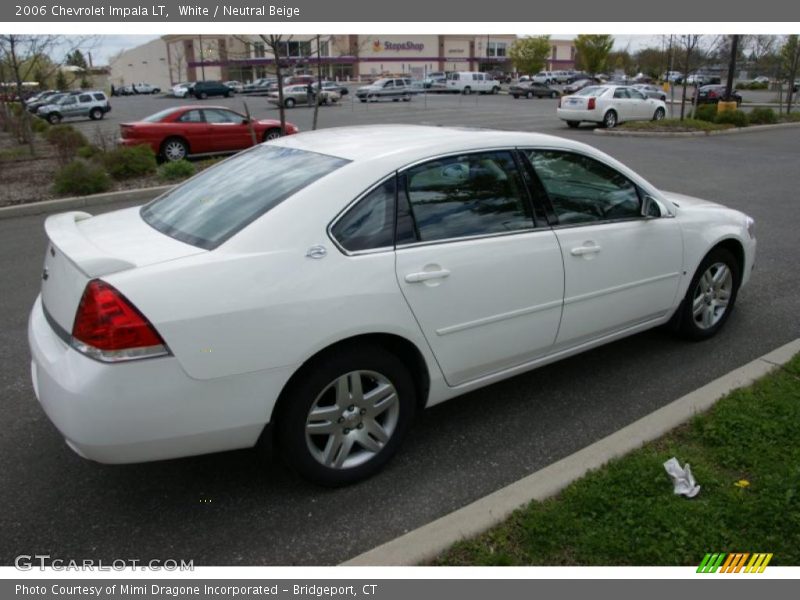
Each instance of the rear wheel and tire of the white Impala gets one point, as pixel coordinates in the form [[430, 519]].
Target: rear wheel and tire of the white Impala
[[353, 440]]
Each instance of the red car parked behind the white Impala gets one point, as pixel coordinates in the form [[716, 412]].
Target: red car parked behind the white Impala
[[175, 133]]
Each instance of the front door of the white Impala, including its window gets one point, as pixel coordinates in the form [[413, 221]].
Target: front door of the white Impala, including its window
[[621, 269]]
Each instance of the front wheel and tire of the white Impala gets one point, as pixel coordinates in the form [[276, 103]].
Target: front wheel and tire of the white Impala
[[700, 315]]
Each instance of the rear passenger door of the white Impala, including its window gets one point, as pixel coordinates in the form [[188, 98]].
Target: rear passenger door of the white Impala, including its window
[[484, 281]]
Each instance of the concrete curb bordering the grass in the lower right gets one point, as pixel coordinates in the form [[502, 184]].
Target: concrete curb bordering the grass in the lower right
[[425, 543]]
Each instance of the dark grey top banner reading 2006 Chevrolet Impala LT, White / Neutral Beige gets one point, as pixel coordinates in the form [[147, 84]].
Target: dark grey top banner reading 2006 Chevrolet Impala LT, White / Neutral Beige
[[166, 11]]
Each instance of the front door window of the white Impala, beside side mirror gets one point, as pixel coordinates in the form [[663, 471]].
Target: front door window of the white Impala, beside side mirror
[[583, 190]]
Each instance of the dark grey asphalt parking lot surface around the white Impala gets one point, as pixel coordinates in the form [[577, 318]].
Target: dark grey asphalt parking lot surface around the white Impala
[[233, 509]]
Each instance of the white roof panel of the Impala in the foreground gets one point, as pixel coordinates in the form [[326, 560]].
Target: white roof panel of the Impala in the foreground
[[413, 142]]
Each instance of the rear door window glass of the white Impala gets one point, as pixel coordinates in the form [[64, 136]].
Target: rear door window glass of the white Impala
[[468, 195]]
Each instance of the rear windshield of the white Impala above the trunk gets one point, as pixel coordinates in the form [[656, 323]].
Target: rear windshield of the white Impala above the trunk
[[211, 207]]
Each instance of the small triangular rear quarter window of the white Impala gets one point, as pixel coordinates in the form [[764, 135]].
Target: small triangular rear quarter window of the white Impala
[[370, 223]]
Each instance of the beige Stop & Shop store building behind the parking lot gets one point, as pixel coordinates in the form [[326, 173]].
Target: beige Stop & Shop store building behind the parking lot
[[175, 58]]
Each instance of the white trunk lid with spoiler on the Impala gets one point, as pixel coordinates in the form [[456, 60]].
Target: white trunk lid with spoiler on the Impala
[[82, 247]]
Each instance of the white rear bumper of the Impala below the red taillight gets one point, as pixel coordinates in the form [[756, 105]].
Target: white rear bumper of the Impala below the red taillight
[[144, 410]]
